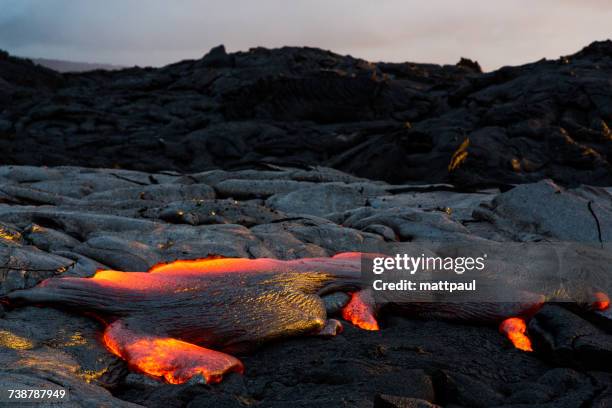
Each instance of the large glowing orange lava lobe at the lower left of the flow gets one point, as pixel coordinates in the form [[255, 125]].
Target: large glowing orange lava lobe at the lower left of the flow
[[174, 360]]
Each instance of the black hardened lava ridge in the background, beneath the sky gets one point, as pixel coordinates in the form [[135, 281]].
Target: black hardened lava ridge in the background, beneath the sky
[[398, 122]]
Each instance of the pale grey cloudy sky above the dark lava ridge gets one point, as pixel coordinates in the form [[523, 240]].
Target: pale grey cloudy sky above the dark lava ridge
[[159, 32]]
